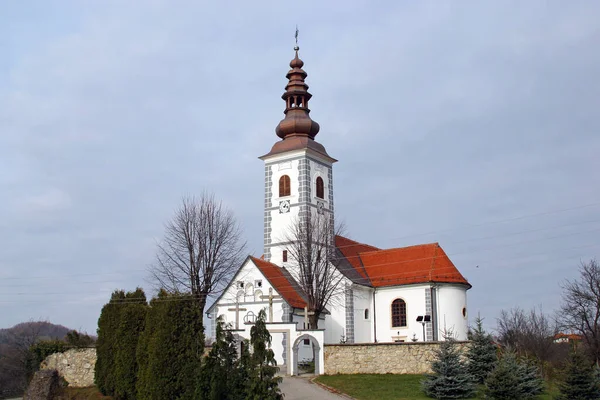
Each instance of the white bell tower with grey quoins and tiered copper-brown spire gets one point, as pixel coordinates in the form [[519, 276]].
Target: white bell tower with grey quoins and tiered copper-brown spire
[[298, 170]]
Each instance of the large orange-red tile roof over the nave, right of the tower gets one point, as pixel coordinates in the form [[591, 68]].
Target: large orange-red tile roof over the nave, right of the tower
[[402, 266]]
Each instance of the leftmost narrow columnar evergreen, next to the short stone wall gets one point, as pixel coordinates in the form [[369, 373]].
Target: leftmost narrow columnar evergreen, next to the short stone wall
[[108, 324]]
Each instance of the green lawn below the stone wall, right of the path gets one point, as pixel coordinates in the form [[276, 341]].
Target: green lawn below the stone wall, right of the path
[[384, 387]]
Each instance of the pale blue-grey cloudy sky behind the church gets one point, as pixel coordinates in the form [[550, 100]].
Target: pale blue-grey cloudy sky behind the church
[[472, 124]]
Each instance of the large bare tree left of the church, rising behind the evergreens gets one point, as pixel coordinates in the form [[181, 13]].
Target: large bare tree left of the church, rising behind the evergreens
[[201, 249]]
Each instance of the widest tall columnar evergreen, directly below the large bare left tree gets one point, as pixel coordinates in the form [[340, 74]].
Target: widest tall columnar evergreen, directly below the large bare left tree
[[173, 348]]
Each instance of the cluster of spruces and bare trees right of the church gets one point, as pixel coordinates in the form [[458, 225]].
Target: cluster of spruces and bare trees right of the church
[[524, 357]]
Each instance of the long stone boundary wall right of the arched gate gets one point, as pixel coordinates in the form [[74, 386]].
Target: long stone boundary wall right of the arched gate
[[381, 358]]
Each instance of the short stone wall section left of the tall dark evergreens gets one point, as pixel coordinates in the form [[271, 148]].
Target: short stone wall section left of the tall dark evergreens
[[76, 366]]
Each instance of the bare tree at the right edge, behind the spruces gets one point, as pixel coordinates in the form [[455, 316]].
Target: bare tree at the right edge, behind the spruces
[[580, 308]]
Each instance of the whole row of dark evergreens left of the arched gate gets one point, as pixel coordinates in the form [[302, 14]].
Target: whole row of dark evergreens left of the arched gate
[[155, 351]]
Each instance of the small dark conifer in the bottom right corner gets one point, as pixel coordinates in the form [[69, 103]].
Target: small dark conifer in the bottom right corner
[[580, 382]]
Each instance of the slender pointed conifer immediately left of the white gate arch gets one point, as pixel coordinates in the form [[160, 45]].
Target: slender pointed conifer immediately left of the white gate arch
[[264, 385]]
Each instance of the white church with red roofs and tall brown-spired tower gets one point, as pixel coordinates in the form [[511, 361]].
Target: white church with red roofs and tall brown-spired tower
[[409, 294]]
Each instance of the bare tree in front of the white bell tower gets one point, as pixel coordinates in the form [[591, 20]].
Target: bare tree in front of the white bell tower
[[312, 251]]
